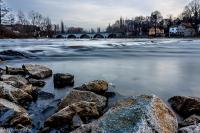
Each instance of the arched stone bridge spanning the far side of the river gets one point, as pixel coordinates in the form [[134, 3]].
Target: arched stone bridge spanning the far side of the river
[[88, 35]]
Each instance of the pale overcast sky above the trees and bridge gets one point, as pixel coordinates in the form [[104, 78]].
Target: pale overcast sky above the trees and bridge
[[94, 13]]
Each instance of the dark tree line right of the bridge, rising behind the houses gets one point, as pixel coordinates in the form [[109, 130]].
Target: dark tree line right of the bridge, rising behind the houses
[[140, 25]]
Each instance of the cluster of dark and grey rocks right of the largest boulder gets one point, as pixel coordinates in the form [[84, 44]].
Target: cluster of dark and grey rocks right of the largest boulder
[[189, 109]]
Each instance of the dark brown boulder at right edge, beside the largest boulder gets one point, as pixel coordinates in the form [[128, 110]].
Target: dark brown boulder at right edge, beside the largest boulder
[[185, 106]]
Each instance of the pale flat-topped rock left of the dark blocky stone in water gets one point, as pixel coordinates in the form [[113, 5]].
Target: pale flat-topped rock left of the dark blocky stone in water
[[37, 71]]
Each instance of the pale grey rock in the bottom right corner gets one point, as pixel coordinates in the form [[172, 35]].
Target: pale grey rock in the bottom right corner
[[190, 129]]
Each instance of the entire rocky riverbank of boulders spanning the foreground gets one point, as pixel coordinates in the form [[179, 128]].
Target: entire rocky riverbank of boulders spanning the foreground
[[85, 108]]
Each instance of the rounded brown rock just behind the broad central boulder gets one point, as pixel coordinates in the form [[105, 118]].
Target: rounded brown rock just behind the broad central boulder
[[97, 86]]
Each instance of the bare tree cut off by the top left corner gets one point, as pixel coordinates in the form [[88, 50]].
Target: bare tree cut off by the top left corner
[[3, 11]]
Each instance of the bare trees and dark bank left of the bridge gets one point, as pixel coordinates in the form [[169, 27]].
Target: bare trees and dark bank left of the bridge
[[33, 24]]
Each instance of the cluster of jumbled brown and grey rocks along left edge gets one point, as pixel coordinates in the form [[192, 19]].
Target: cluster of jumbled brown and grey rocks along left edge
[[17, 88]]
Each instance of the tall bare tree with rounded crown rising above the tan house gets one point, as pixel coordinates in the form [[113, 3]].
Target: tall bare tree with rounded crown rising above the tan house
[[156, 18]]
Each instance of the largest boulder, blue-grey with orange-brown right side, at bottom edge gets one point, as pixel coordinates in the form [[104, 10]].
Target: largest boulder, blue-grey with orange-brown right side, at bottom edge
[[142, 114]]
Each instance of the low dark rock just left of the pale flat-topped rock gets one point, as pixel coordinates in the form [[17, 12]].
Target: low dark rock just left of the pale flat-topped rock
[[15, 71]]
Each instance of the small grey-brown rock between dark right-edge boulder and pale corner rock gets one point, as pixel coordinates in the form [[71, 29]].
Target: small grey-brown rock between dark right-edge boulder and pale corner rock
[[192, 120]]
